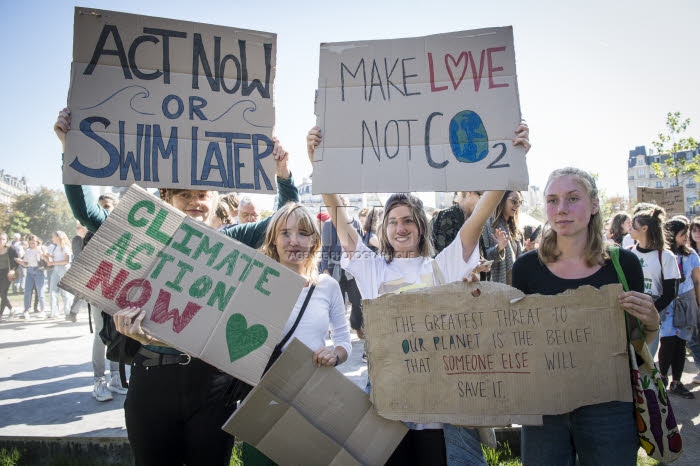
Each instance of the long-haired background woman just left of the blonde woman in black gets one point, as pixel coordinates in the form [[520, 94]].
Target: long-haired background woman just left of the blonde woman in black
[[502, 240]]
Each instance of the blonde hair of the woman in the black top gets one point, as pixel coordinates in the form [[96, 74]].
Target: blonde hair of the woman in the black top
[[594, 252]]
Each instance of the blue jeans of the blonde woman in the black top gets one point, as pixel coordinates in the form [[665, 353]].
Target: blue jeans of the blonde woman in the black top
[[599, 434]]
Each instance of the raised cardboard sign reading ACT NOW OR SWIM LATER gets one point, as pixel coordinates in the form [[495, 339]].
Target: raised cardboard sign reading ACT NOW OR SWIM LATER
[[174, 104]]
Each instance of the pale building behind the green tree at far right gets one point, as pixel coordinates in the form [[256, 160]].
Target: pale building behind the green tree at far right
[[640, 173]]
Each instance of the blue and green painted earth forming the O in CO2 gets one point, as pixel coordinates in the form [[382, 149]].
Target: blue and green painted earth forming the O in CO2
[[468, 138]]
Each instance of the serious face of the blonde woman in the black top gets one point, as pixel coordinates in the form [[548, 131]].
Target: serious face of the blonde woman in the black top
[[569, 207]]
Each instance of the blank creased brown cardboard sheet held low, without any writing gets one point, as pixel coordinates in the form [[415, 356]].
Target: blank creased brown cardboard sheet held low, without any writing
[[301, 414]]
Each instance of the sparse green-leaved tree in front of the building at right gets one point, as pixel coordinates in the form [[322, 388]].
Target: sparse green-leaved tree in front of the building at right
[[672, 142]]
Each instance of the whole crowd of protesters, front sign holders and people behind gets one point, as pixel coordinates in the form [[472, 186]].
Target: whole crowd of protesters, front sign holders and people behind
[[386, 250]]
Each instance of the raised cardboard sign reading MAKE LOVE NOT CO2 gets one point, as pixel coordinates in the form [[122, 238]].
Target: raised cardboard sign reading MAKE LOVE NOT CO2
[[434, 113]]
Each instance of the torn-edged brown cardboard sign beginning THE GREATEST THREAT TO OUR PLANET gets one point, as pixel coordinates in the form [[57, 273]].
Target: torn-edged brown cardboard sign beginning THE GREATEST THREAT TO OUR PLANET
[[441, 354]]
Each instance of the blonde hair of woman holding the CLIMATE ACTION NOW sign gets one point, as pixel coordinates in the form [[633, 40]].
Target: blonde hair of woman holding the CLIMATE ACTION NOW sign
[[306, 222]]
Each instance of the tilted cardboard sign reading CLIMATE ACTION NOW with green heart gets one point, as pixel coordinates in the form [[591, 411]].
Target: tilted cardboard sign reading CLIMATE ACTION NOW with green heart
[[203, 292]]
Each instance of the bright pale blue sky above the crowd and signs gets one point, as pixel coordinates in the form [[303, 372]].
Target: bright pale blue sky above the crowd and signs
[[595, 79]]
